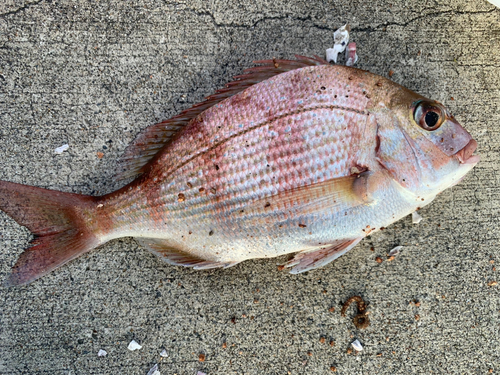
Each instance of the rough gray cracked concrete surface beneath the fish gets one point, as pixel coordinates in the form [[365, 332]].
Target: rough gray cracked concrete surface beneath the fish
[[93, 73]]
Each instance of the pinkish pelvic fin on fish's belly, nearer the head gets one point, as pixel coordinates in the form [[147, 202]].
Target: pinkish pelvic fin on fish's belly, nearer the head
[[309, 260]]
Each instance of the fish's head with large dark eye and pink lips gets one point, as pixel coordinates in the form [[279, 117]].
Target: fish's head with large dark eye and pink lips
[[422, 145]]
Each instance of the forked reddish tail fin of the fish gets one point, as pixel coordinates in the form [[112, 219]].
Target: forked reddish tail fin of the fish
[[56, 221]]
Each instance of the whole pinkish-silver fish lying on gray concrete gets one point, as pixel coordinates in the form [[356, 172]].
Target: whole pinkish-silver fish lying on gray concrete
[[293, 157]]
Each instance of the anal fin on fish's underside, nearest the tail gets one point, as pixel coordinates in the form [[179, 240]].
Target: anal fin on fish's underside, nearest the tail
[[164, 250]]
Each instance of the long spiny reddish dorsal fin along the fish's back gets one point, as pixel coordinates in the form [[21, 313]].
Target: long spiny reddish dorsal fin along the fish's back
[[155, 137]]
